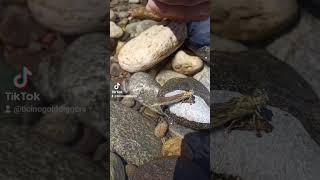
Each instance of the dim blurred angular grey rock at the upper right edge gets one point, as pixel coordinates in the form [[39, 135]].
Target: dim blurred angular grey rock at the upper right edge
[[296, 48]]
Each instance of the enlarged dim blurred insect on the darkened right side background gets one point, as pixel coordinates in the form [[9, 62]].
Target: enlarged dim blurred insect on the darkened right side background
[[244, 113]]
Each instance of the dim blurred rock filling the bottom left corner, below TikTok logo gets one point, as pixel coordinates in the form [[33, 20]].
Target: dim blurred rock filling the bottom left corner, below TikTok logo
[[25, 155]]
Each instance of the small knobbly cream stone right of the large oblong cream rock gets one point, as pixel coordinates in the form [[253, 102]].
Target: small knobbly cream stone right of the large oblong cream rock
[[186, 64]]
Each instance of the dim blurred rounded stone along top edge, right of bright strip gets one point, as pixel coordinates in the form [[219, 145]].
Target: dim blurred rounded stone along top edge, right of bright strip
[[252, 20]]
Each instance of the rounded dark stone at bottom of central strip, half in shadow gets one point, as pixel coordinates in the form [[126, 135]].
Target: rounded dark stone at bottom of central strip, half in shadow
[[170, 168]]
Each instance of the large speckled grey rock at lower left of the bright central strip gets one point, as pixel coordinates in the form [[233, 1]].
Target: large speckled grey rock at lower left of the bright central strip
[[131, 135]]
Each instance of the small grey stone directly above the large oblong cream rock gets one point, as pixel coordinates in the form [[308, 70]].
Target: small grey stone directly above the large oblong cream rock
[[136, 28]]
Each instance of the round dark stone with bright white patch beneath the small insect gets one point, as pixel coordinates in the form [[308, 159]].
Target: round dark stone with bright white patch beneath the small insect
[[201, 107]]
